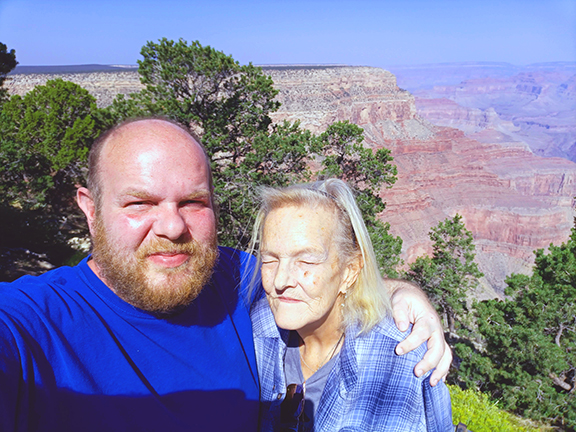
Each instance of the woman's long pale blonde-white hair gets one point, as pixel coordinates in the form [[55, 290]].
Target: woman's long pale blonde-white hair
[[368, 300]]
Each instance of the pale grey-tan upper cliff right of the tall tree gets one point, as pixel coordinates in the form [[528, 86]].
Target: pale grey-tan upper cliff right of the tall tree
[[368, 97]]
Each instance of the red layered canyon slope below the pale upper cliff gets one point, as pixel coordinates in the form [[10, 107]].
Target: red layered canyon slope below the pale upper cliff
[[513, 201]]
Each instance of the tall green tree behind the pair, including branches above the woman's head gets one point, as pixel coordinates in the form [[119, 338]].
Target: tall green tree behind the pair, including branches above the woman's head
[[229, 106]]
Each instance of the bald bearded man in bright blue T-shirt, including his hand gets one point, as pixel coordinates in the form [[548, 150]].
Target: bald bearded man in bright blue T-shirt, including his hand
[[150, 332]]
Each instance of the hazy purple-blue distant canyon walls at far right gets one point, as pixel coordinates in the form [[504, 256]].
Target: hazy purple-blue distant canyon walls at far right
[[537, 107]]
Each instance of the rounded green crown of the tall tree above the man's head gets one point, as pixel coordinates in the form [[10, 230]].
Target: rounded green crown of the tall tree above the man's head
[[199, 85]]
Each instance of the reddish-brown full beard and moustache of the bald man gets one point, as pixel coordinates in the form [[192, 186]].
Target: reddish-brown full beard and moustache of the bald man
[[137, 281]]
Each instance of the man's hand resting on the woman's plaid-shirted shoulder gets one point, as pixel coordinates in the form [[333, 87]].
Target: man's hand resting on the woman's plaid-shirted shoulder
[[410, 305]]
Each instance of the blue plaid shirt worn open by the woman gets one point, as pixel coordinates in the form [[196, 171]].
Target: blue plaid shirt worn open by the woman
[[370, 388]]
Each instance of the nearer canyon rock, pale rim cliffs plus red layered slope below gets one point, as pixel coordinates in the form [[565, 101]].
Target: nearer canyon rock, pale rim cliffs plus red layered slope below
[[512, 200]]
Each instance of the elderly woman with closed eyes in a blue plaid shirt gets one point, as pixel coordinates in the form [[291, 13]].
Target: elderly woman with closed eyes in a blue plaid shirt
[[323, 335]]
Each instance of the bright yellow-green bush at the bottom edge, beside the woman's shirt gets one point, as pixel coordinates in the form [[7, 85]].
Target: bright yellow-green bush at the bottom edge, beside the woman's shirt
[[480, 414]]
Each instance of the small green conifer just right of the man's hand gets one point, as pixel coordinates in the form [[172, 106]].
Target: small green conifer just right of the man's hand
[[450, 273]]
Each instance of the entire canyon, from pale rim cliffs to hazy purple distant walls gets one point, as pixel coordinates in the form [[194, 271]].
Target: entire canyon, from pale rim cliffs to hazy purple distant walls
[[453, 154]]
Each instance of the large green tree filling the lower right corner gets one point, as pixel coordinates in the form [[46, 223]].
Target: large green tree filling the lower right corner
[[528, 359]]
